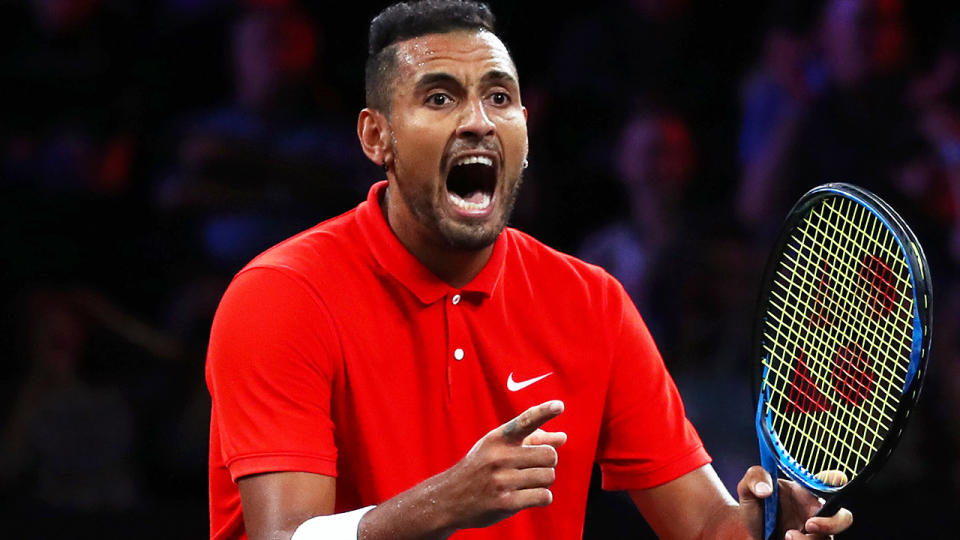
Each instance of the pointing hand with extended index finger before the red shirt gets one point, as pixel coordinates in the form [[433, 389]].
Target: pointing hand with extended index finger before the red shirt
[[510, 469]]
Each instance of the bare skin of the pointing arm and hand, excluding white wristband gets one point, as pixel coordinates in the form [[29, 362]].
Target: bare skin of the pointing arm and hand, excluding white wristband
[[511, 468]]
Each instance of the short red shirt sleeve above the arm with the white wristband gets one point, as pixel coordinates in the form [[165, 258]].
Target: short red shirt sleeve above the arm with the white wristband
[[271, 364]]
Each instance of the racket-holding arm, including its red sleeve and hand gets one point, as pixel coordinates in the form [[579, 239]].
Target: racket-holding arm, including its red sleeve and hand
[[644, 411]]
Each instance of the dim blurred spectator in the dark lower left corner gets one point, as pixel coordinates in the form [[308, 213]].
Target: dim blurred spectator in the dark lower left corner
[[68, 444]]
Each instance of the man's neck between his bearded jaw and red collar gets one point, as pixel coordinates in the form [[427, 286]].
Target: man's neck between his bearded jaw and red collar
[[455, 267]]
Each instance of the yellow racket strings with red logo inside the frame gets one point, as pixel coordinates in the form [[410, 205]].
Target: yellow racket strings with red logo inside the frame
[[838, 271]]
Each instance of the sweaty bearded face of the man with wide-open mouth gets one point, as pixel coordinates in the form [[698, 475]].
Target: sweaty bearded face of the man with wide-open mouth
[[458, 139]]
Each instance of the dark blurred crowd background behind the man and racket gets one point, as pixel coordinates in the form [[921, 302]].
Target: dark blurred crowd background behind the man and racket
[[149, 149]]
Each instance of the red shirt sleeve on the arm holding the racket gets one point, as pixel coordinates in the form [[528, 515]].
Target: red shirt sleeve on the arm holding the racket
[[646, 439]]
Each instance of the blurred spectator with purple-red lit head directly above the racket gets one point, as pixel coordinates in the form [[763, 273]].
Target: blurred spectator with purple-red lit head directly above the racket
[[857, 130]]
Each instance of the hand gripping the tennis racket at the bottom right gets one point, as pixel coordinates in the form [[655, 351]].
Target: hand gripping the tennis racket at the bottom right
[[797, 506]]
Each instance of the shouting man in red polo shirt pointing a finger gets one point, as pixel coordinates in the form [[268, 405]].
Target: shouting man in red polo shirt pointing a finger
[[371, 361]]
